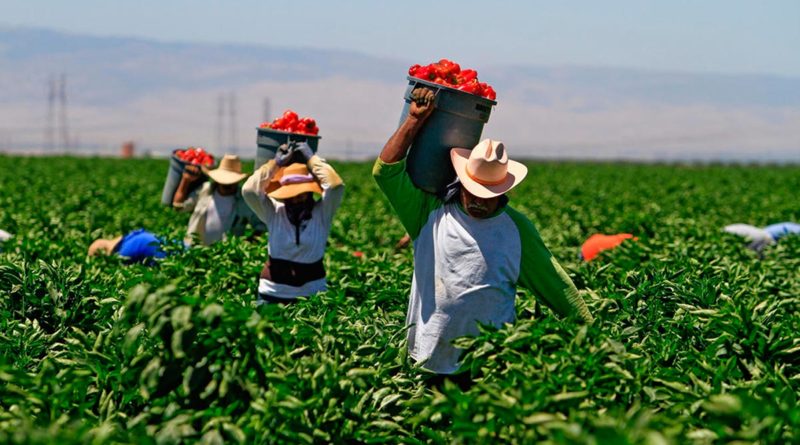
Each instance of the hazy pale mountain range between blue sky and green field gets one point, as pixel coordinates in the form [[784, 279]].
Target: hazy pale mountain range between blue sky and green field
[[165, 95]]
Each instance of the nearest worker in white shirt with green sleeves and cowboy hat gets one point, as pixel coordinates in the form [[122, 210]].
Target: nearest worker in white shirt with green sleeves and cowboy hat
[[471, 249]]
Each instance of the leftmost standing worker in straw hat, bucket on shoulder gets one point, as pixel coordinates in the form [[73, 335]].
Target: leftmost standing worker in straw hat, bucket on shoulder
[[217, 207]]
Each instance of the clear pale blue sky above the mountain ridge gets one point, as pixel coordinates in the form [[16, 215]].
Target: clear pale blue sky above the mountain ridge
[[678, 35]]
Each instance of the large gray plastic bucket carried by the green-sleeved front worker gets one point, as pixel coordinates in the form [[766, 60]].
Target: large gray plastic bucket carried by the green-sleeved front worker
[[456, 122]]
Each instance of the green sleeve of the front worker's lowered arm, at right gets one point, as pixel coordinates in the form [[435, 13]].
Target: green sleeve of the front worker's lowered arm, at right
[[542, 275]]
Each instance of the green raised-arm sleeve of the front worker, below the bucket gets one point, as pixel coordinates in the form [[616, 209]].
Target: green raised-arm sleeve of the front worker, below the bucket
[[411, 204]]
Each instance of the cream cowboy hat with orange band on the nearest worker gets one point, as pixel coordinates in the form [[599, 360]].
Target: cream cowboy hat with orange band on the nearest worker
[[485, 171]]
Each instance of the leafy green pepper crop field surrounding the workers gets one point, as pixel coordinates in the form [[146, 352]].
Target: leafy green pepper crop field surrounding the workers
[[697, 340]]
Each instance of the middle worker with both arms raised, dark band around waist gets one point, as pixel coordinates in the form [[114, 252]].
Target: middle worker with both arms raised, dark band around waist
[[282, 193]]
